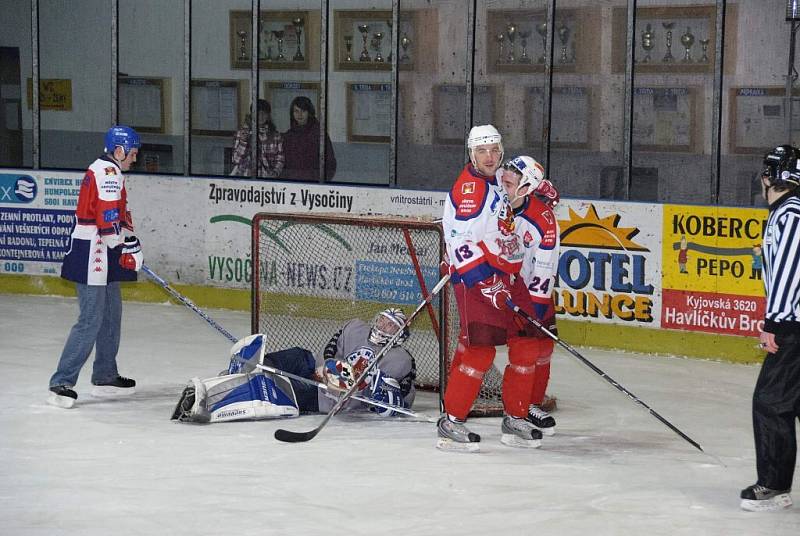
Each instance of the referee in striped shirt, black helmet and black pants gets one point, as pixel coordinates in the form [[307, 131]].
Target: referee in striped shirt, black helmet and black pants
[[776, 399]]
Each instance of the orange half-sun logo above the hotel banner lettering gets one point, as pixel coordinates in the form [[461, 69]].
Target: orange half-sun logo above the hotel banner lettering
[[591, 231]]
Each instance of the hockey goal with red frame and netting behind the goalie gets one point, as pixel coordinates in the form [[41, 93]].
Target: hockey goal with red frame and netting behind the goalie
[[312, 273]]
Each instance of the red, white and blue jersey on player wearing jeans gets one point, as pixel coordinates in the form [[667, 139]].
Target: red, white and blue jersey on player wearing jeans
[[101, 216]]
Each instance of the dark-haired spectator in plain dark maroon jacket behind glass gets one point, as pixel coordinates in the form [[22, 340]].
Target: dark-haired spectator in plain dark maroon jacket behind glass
[[301, 144]]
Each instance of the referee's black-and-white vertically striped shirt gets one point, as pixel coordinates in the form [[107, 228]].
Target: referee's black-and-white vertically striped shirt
[[782, 263]]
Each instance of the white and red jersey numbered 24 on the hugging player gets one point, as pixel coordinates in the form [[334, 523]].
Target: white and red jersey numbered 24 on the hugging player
[[537, 226]]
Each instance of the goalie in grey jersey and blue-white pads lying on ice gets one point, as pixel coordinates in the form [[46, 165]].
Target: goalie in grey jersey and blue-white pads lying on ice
[[246, 390]]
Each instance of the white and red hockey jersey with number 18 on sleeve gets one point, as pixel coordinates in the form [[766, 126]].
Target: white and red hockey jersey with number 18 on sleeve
[[479, 229]]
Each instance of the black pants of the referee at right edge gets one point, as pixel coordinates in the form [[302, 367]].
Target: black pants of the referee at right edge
[[776, 404]]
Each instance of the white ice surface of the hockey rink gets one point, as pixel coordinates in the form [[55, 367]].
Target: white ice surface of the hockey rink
[[122, 467]]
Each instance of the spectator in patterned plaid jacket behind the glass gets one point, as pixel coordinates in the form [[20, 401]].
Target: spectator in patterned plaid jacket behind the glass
[[270, 146]]
